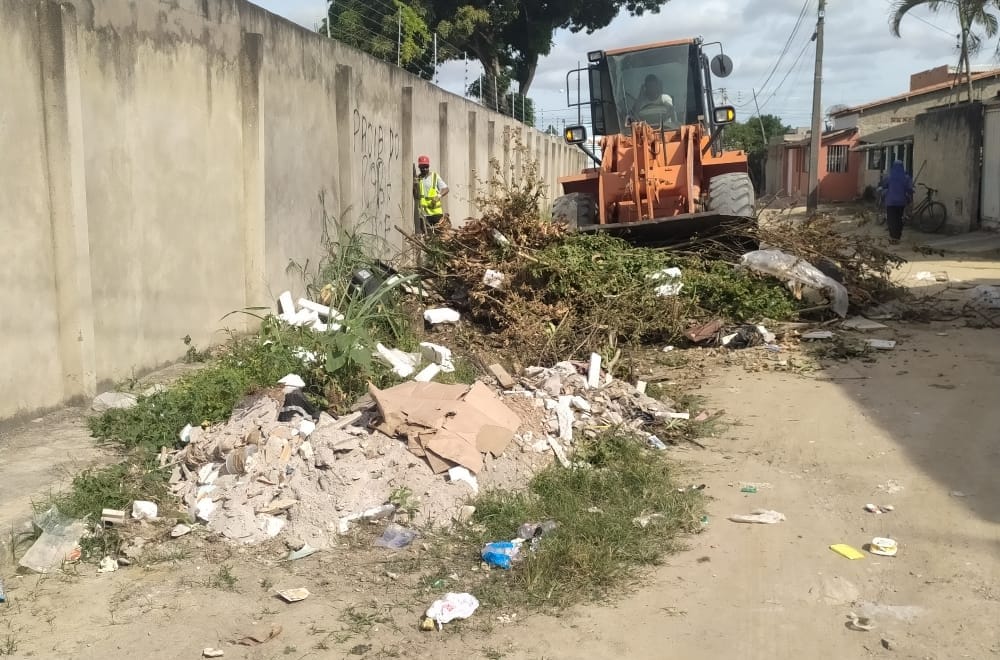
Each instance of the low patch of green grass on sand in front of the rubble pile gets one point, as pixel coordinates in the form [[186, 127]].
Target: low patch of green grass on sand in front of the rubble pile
[[598, 543]]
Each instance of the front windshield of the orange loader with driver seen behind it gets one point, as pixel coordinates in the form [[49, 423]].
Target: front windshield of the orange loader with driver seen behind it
[[660, 86]]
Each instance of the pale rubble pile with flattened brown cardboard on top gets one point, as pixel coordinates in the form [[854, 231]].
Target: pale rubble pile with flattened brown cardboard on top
[[278, 467]]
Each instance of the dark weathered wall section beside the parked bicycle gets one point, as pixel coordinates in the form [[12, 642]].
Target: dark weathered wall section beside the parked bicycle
[[946, 150]]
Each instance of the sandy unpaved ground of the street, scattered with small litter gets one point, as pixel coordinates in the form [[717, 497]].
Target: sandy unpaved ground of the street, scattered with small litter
[[915, 429]]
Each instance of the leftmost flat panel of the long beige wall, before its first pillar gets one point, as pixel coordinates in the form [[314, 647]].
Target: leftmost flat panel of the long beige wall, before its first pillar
[[29, 323]]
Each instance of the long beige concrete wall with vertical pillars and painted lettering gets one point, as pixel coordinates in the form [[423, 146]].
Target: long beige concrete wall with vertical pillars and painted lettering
[[174, 158]]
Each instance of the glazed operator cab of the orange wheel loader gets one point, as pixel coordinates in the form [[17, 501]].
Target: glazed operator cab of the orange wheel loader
[[665, 85]]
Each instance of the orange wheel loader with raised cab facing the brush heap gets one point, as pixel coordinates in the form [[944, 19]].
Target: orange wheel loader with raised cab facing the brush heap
[[662, 174]]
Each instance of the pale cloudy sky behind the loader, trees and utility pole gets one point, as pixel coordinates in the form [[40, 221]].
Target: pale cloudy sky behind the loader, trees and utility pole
[[862, 61]]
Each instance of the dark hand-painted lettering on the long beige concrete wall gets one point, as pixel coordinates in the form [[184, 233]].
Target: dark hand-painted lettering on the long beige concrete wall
[[377, 148]]
